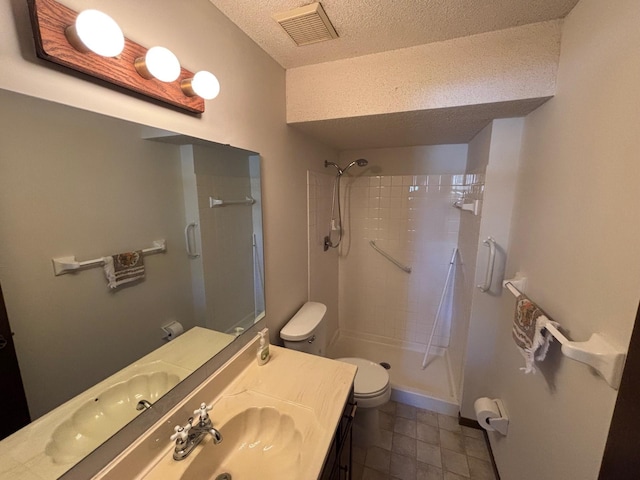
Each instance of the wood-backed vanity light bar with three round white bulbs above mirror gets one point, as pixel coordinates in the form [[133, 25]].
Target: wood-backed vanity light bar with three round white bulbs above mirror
[[57, 40]]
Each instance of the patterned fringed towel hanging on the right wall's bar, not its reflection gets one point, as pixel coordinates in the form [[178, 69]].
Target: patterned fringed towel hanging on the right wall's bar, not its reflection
[[529, 332]]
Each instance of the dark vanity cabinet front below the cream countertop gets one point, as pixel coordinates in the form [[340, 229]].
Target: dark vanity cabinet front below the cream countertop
[[338, 463]]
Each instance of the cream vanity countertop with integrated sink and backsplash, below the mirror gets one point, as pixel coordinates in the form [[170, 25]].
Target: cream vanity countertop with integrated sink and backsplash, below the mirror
[[276, 421]]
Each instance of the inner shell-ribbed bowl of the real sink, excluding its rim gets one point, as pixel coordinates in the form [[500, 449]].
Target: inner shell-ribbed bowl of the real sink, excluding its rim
[[260, 442]]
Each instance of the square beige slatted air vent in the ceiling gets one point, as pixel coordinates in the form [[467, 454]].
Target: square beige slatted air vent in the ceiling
[[306, 25]]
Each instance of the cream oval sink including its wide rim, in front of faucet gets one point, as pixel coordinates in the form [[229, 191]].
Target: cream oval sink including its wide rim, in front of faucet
[[263, 437]]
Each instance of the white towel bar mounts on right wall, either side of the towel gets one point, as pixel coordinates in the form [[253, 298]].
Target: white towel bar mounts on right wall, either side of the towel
[[596, 352]]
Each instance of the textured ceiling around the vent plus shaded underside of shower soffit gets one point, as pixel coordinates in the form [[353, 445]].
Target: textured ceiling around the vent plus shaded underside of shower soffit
[[373, 26]]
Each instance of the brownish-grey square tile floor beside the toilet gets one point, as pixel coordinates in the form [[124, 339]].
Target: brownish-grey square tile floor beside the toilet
[[419, 444]]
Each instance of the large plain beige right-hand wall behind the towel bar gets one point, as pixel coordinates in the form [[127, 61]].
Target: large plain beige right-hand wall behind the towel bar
[[575, 235]]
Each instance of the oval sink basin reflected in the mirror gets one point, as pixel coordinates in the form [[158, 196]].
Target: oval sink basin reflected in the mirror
[[102, 416]]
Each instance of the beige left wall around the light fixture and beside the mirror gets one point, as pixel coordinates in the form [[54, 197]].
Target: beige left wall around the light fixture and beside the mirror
[[249, 113]]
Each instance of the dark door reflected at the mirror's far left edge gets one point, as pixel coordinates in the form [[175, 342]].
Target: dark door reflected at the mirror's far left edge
[[14, 413]]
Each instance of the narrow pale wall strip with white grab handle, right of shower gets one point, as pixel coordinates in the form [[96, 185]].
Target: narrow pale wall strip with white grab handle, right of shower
[[496, 153]]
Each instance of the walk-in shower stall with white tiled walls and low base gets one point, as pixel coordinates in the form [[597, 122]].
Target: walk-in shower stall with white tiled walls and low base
[[398, 236]]
